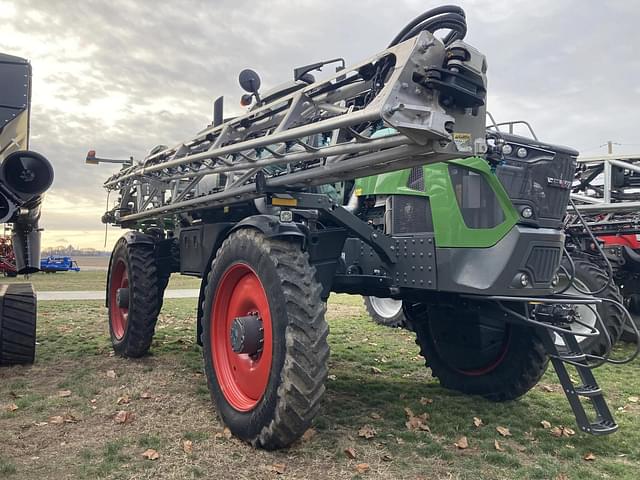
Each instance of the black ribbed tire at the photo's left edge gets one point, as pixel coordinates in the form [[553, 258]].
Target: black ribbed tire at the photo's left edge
[[17, 324]]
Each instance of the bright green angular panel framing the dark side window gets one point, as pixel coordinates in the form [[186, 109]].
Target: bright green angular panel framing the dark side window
[[449, 227]]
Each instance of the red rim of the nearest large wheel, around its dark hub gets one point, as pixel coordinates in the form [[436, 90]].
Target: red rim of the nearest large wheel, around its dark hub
[[242, 378]]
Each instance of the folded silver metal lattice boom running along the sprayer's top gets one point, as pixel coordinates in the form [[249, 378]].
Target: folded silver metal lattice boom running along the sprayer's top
[[430, 93]]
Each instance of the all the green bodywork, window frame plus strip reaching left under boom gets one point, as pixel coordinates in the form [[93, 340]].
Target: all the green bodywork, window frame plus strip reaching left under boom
[[449, 227]]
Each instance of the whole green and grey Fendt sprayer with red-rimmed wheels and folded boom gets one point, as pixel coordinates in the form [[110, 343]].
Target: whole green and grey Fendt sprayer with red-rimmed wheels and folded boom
[[263, 208]]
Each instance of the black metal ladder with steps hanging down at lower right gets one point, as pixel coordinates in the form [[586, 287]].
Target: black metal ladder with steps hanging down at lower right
[[604, 423]]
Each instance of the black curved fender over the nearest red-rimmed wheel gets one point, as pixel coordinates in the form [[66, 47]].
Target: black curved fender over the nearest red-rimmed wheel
[[271, 227]]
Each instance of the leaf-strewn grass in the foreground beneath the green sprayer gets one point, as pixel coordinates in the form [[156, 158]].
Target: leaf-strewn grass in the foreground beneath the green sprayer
[[57, 418]]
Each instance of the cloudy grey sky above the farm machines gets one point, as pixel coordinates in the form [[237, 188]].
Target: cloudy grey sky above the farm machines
[[121, 76]]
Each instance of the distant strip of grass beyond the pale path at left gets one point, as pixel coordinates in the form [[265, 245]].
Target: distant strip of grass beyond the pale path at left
[[87, 280]]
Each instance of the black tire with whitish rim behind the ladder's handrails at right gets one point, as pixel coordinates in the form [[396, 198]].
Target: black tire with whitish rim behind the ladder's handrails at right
[[589, 277]]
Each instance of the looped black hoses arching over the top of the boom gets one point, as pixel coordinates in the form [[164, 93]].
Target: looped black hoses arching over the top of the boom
[[445, 17]]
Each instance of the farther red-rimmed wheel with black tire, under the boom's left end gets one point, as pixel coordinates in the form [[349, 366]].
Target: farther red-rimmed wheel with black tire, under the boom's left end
[[132, 325]]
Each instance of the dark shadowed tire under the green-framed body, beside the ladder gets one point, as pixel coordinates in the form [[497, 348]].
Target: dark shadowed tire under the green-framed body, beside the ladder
[[510, 362]]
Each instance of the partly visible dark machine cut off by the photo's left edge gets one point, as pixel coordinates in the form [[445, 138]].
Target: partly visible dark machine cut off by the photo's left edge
[[24, 177]]
